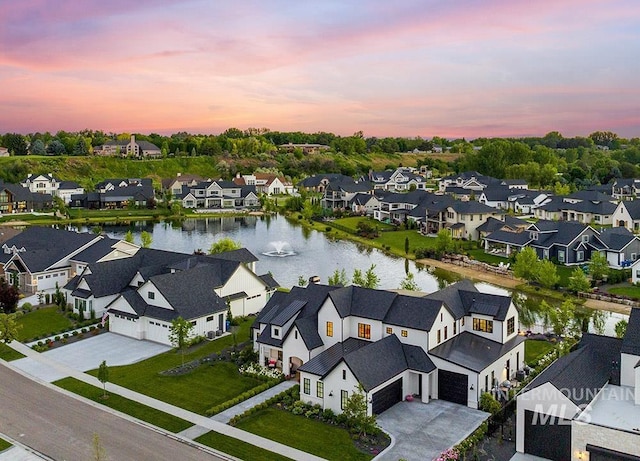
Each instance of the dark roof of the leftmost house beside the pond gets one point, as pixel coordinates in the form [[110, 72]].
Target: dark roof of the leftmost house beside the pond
[[46, 246]]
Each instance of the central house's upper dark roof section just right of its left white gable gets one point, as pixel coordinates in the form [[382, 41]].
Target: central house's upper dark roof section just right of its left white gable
[[362, 302]]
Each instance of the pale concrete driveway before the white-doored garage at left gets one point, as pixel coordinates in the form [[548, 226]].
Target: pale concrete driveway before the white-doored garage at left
[[89, 353]]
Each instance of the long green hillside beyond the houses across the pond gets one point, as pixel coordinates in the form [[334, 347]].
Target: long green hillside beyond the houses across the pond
[[88, 171]]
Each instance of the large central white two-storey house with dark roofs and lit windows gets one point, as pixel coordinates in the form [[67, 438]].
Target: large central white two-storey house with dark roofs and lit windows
[[451, 345]]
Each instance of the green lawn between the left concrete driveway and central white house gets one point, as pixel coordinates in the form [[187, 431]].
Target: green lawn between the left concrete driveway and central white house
[[215, 383]]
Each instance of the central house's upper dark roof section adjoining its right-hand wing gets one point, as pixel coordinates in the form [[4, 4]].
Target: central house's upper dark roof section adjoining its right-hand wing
[[413, 312]]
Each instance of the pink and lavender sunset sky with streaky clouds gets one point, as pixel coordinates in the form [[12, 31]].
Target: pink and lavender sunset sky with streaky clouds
[[448, 68]]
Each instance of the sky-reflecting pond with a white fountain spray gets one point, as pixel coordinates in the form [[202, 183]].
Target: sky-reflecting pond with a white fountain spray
[[289, 251]]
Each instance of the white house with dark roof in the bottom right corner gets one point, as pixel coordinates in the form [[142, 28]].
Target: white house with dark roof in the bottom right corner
[[586, 405]]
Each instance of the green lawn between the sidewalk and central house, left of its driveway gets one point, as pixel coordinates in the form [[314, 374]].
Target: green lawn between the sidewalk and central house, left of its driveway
[[324, 440]]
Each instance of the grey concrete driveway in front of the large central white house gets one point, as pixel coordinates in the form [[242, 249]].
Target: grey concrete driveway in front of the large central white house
[[423, 431]]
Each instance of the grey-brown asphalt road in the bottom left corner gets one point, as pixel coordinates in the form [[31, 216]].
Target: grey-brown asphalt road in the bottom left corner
[[62, 427]]
